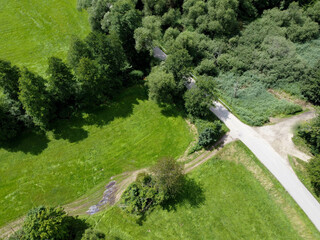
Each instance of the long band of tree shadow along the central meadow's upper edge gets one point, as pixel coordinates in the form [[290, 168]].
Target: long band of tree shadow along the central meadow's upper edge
[[35, 141]]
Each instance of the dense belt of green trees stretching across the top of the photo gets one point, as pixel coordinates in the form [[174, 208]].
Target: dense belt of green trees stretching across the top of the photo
[[204, 37]]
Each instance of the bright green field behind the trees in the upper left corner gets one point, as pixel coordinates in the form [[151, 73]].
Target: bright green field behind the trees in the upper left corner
[[33, 30]]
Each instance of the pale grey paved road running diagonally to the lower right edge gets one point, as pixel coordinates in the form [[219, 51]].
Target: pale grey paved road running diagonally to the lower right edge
[[273, 162]]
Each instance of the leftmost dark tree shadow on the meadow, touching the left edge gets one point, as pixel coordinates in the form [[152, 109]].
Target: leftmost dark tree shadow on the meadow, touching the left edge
[[30, 141]]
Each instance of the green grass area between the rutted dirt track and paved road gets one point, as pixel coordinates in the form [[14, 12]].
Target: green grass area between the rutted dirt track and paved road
[[227, 202]]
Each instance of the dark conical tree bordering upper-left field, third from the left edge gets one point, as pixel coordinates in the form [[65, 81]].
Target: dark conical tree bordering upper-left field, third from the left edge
[[61, 84]]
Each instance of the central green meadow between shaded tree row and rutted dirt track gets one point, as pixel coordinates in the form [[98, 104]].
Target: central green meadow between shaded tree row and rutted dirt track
[[82, 153]]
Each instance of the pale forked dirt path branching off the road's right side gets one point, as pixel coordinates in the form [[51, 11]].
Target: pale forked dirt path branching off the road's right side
[[279, 135]]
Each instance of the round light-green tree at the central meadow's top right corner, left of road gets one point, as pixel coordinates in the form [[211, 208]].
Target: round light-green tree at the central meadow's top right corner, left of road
[[161, 85]]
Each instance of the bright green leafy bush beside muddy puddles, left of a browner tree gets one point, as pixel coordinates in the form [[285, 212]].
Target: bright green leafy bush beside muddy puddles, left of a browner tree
[[142, 195]]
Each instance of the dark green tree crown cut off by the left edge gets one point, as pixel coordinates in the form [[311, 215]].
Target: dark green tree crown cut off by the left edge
[[9, 79]]
